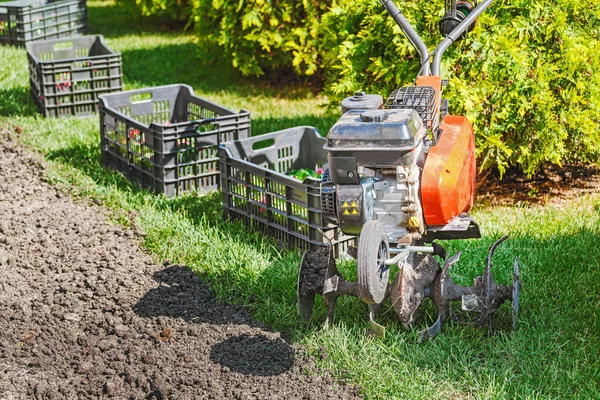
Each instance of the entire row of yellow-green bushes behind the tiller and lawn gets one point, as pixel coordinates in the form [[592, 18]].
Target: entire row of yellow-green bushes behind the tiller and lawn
[[525, 77]]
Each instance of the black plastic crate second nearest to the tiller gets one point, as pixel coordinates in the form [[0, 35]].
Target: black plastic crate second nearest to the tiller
[[166, 138]]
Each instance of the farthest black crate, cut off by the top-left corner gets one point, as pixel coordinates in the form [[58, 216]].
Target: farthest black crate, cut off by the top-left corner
[[28, 20]]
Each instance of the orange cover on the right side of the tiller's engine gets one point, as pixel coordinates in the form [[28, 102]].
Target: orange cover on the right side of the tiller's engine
[[448, 181]]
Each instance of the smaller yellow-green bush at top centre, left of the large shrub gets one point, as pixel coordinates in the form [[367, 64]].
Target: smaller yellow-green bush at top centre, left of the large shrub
[[263, 35]]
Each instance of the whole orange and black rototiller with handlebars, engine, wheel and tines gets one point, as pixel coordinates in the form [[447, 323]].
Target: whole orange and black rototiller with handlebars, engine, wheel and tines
[[401, 174]]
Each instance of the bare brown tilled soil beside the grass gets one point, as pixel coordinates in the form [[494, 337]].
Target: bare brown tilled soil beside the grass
[[84, 313]]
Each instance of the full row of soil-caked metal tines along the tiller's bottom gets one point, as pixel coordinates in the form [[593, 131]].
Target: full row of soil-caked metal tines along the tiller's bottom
[[420, 277]]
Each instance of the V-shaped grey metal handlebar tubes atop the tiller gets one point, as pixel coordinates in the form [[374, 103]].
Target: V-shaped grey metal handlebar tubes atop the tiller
[[416, 40]]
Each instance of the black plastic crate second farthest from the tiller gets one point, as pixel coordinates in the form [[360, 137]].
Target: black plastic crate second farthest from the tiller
[[66, 76]]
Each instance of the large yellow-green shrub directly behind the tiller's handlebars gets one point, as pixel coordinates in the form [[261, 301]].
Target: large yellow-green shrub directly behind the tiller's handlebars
[[525, 77]]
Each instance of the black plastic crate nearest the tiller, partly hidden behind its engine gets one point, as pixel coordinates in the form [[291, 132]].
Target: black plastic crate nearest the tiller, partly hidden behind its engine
[[257, 190]]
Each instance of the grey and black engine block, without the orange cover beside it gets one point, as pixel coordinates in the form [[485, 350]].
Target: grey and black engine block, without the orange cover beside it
[[375, 159]]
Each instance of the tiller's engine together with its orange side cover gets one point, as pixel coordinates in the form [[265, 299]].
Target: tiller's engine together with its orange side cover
[[384, 166]]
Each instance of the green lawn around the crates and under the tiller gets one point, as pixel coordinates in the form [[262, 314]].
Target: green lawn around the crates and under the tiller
[[553, 354]]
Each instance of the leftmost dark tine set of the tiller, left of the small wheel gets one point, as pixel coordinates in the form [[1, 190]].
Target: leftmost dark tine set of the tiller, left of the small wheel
[[319, 275]]
